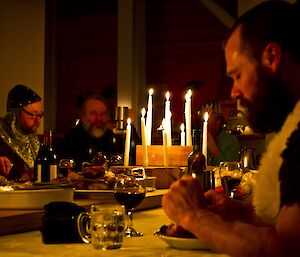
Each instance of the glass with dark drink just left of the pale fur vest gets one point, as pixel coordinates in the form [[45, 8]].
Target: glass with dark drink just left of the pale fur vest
[[230, 175]]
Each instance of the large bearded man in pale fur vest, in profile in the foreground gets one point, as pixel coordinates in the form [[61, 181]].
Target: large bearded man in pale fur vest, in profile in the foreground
[[263, 59]]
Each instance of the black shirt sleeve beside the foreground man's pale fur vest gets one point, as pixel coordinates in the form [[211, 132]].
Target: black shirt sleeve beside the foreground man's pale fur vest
[[289, 173]]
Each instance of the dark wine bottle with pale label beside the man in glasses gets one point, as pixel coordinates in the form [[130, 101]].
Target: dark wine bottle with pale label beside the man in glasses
[[45, 165]]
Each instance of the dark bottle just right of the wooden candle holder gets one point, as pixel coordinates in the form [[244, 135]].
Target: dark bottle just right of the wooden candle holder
[[196, 160]]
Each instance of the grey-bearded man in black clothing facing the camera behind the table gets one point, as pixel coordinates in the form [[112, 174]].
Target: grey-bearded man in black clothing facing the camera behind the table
[[91, 134]]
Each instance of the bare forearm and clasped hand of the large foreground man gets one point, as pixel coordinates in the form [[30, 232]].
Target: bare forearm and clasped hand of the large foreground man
[[233, 236]]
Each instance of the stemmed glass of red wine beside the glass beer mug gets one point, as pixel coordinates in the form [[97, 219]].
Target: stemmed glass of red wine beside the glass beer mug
[[130, 192]]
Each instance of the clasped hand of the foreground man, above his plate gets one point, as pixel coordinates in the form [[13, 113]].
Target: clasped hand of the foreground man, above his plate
[[184, 197]]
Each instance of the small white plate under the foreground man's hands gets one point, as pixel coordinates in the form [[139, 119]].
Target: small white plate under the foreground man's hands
[[182, 243]]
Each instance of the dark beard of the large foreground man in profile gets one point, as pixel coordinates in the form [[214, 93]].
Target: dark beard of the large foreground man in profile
[[270, 106]]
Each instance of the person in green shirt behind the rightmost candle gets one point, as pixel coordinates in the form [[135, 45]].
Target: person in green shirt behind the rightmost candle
[[222, 146]]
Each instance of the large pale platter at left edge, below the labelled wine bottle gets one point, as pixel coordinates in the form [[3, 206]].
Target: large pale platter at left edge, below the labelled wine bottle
[[35, 198]]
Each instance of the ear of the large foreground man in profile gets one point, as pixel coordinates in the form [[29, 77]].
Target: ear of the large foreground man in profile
[[271, 57]]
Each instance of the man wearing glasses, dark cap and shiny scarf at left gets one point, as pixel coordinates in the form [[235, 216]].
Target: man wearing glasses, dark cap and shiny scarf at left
[[19, 143]]
